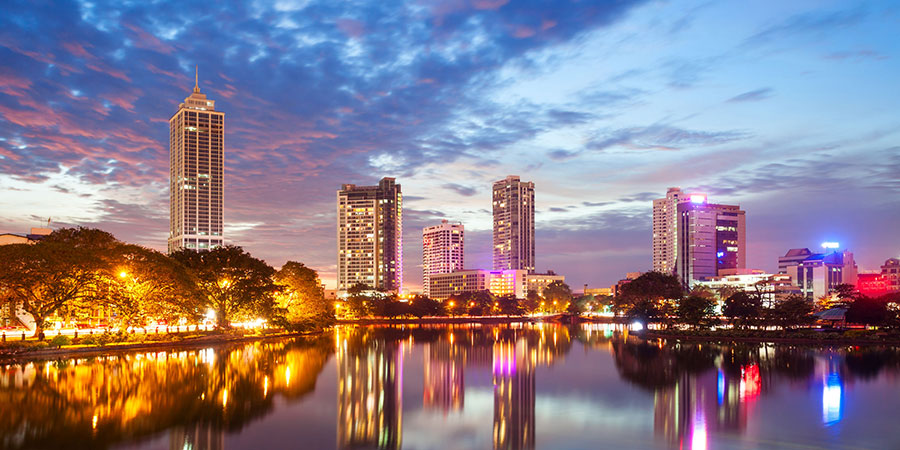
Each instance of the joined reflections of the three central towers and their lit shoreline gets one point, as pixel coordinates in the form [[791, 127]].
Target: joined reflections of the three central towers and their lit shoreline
[[370, 378]]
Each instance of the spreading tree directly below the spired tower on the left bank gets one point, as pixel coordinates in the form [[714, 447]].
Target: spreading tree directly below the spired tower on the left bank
[[233, 283]]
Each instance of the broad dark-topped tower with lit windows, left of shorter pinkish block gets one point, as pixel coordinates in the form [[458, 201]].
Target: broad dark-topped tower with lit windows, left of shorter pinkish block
[[370, 236]]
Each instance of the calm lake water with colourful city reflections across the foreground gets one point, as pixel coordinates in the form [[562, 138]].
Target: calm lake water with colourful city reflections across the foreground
[[459, 387]]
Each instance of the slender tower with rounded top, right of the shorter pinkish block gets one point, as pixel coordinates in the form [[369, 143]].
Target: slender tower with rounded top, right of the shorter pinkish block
[[513, 203]]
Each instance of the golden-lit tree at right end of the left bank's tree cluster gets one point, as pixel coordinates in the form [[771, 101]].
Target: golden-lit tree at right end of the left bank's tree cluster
[[302, 297]]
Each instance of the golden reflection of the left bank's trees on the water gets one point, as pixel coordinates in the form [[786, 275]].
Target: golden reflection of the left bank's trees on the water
[[115, 398]]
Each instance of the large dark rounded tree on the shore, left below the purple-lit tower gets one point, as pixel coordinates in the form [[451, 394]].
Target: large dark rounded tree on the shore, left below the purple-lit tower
[[650, 296]]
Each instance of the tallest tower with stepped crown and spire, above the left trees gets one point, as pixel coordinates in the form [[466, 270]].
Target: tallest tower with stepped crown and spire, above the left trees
[[196, 174]]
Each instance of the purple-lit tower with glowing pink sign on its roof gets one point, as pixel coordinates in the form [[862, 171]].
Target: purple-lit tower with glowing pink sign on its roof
[[711, 238]]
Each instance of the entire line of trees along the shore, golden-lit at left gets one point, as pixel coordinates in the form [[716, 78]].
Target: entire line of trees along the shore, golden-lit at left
[[79, 276]]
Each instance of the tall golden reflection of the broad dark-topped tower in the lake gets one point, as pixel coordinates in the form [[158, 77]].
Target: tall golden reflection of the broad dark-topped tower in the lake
[[370, 391]]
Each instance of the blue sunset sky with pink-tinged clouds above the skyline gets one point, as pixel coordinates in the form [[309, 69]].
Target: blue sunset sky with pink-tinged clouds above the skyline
[[789, 109]]
